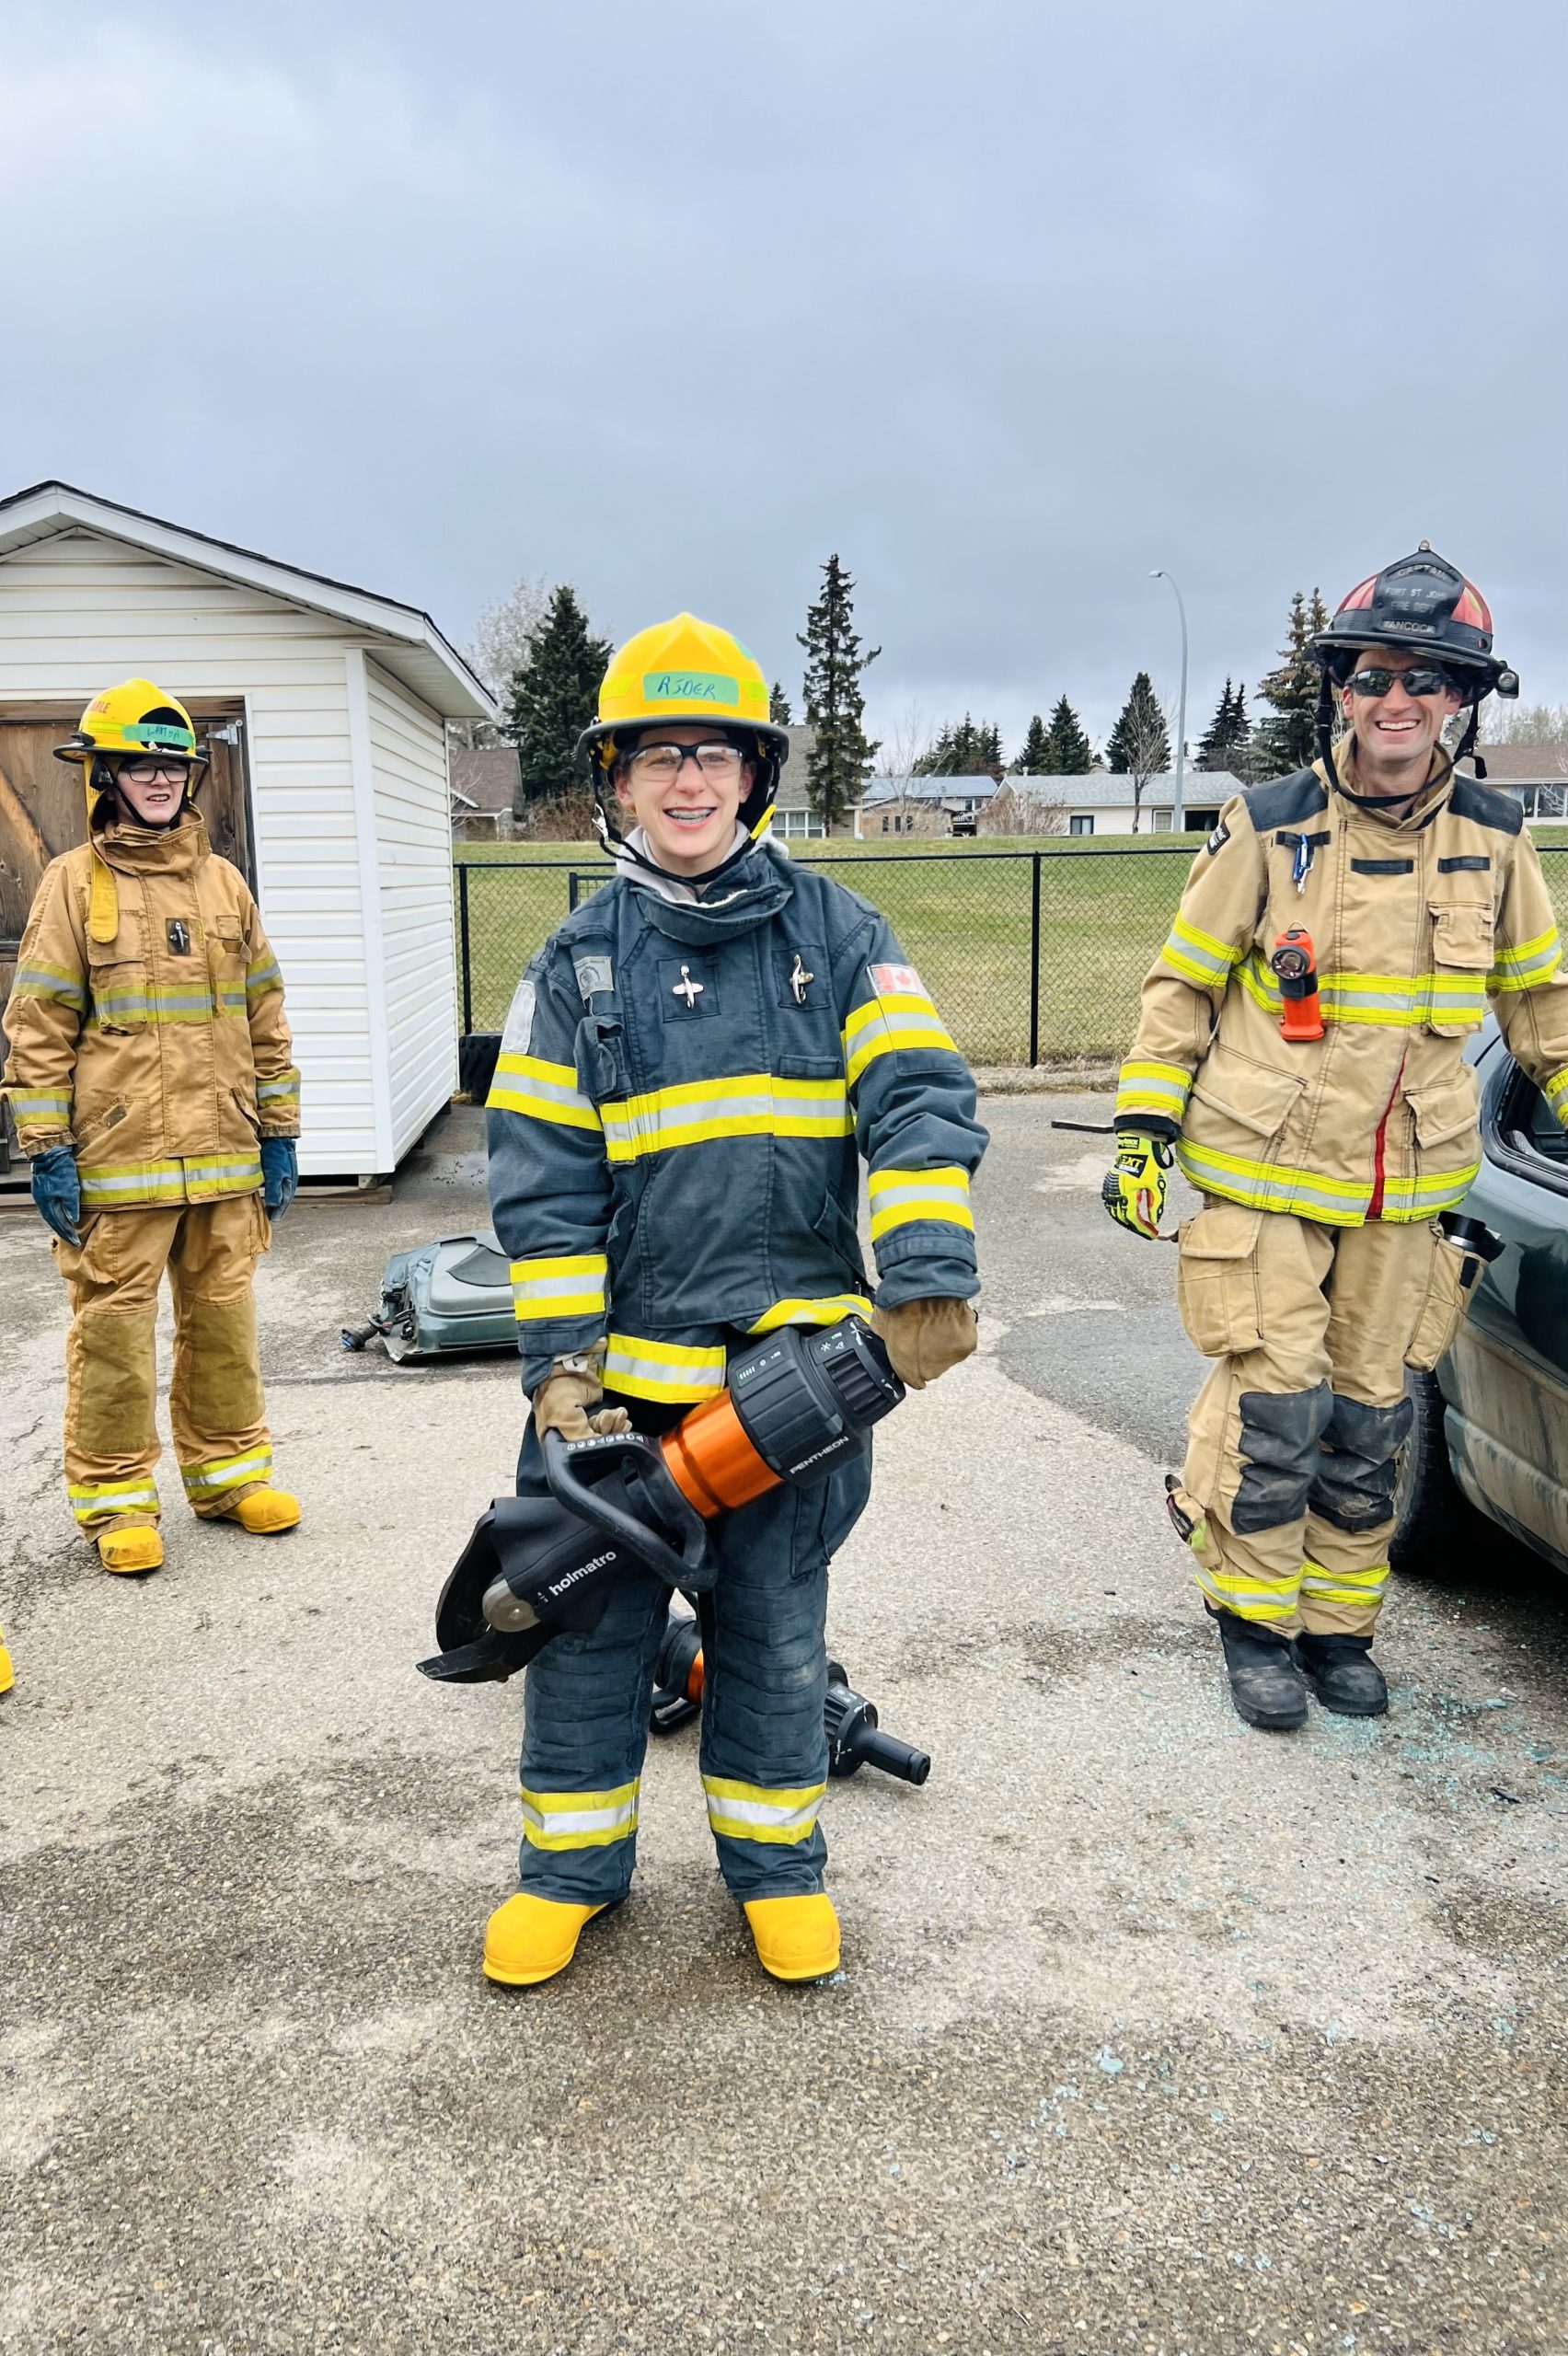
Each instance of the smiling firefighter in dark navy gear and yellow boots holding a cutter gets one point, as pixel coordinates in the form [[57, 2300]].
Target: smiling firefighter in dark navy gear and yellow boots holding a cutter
[[689, 1078]]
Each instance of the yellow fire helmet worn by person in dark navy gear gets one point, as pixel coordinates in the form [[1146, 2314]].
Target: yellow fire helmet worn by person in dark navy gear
[[686, 673]]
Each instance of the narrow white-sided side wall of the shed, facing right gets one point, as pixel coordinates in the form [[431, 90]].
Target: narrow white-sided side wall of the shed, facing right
[[416, 875]]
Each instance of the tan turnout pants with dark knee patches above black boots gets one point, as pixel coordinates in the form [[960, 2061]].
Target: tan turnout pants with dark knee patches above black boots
[[1294, 1441]]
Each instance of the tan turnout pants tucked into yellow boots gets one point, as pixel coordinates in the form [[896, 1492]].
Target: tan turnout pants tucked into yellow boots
[[112, 1377]]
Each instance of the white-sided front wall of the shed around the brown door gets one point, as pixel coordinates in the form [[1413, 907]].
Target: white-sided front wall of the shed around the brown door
[[79, 611]]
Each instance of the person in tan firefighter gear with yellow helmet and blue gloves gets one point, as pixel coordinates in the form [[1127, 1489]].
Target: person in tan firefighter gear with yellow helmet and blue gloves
[[154, 1092]]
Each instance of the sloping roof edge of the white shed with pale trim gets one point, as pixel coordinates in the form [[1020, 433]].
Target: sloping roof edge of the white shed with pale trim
[[406, 640]]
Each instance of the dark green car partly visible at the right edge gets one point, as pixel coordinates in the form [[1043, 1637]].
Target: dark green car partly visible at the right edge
[[1491, 1424]]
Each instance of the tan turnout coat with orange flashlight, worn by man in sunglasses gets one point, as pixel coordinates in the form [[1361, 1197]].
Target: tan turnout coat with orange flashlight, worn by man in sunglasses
[[1421, 925]]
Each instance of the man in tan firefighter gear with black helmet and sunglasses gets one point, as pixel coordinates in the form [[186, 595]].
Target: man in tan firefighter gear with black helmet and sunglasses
[[1334, 1144]]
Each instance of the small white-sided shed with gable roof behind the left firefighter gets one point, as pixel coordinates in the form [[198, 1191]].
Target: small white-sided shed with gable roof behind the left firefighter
[[326, 710]]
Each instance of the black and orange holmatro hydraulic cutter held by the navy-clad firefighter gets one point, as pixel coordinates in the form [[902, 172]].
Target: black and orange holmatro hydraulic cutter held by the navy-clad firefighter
[[797, 1405]]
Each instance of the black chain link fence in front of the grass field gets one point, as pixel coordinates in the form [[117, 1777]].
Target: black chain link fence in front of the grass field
[[1032, 955]]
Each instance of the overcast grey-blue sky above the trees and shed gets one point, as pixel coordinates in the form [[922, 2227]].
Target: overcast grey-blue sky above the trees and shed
[[1002, 300]]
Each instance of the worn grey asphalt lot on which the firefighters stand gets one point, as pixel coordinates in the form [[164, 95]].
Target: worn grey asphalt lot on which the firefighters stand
[[1155, 2034]]
